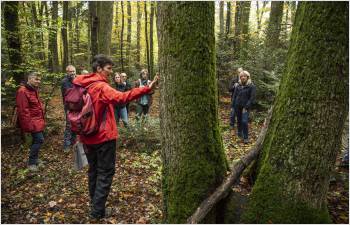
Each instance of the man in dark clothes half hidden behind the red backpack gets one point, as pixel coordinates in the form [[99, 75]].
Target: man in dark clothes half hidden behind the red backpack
[[69, 136]]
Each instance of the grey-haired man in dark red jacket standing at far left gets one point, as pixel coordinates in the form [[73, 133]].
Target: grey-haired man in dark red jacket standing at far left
[[31, 116]]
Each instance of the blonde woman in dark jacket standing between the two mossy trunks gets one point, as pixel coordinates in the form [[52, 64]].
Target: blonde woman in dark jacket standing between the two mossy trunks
[[243, 98]]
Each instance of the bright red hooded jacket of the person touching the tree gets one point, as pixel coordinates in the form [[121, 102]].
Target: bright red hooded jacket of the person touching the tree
[[105, 97]]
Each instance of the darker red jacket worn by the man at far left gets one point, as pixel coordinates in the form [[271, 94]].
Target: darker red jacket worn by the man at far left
[[29, 109]]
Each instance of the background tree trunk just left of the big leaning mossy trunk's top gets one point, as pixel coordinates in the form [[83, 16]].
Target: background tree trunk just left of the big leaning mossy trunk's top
[[274, 28]]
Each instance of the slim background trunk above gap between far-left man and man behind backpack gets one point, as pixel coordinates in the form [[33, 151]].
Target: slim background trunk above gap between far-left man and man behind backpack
[[54, 65]]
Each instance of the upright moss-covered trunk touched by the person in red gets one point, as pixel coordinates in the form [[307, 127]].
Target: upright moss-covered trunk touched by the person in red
[[193, 158]]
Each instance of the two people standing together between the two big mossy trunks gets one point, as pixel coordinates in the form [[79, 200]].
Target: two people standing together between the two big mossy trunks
[[243, 93]]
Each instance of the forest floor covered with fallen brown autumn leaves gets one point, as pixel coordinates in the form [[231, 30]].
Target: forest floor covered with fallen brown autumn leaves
[[59, 194]]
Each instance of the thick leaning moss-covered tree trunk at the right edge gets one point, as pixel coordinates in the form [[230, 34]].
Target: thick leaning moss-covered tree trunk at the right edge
[[304, 136]]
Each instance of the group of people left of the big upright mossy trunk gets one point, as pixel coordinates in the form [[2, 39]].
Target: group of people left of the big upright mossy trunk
[[100, 148]]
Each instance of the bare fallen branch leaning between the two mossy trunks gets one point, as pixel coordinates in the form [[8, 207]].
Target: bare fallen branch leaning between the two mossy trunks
[[236, 171]]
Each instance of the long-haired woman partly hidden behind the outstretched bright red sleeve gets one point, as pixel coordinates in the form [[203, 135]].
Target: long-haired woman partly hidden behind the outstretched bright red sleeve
[[120, 111]]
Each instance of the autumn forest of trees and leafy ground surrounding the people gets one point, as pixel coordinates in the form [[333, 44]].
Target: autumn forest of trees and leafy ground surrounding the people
[[284, 159]]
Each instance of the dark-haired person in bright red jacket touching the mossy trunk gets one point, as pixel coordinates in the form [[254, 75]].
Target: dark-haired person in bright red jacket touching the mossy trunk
[[101, 147]]
